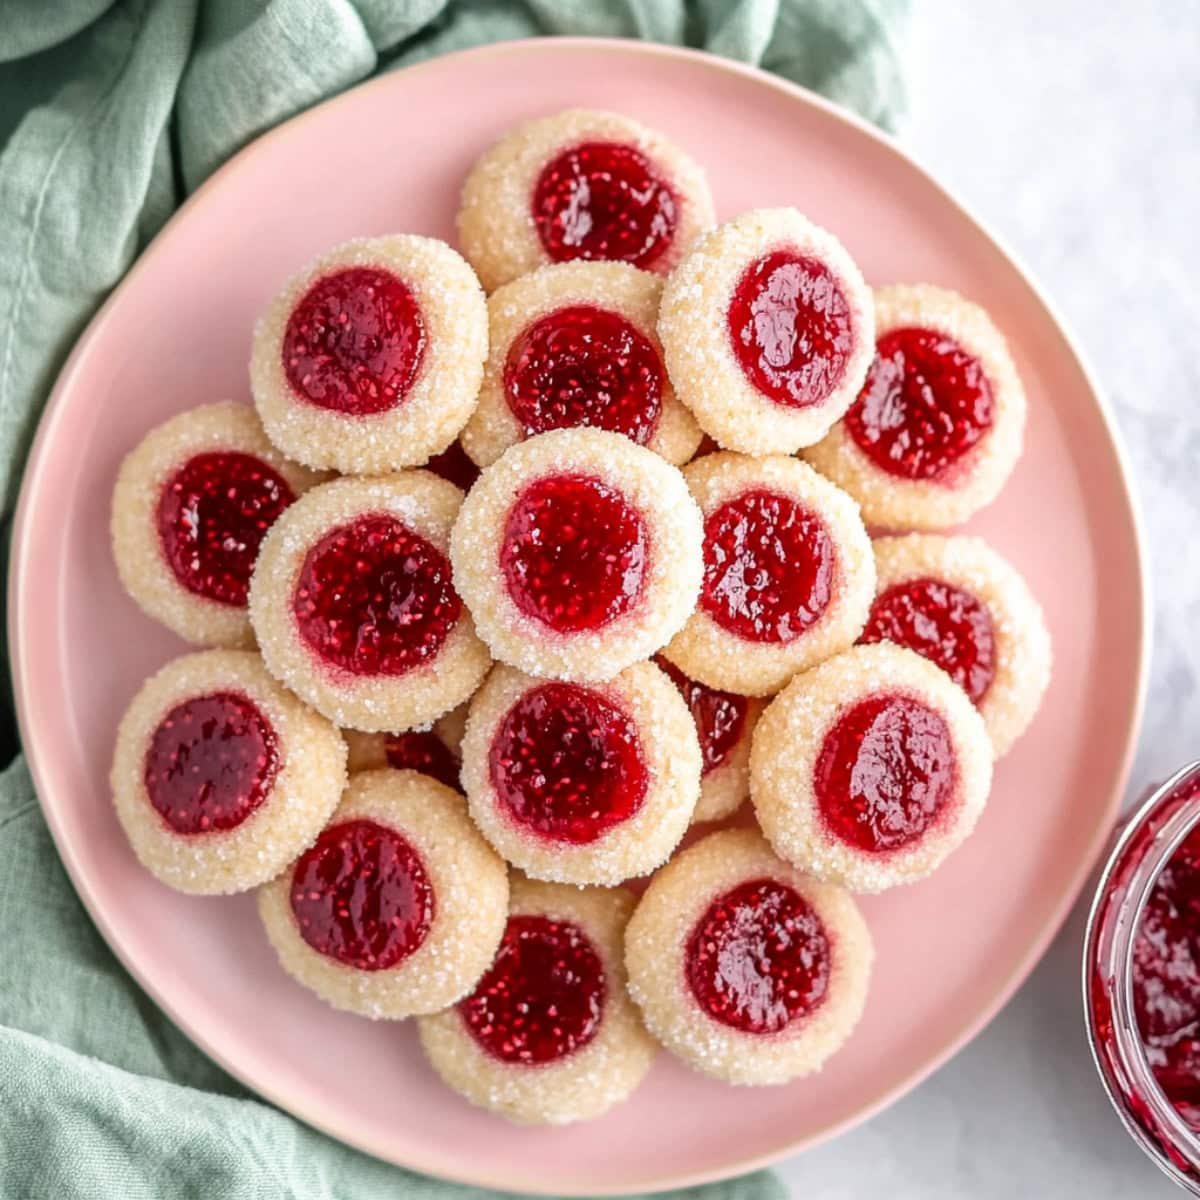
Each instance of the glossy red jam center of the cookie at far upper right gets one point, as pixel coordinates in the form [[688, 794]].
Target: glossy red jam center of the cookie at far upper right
[[926, 404]]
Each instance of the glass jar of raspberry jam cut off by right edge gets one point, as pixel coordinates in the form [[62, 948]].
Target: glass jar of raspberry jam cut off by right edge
[[1142, 977]]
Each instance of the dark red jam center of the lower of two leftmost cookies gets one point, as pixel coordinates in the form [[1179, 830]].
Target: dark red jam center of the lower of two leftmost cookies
[[212, 763]]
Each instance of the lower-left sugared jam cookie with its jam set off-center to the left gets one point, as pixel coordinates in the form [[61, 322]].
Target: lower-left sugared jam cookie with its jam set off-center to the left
[[399, 907]]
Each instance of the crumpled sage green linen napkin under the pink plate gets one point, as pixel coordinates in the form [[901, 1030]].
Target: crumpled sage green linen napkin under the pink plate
[[111, 112]]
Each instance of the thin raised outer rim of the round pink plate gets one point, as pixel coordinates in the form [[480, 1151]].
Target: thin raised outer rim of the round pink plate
[[38, 757]]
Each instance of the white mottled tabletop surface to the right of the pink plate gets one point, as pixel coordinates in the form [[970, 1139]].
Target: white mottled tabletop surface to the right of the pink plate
[[1073, 129]]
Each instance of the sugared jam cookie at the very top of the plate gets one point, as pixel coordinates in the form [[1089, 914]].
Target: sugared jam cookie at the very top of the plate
[[581, 185]]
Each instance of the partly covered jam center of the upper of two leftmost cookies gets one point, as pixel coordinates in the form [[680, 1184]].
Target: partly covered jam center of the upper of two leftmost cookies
[[213, 514]]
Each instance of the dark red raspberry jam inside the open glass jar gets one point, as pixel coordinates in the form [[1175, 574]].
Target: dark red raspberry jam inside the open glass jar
[[1167, 975]]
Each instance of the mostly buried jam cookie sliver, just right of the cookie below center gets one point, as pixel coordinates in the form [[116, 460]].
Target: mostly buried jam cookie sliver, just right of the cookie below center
[[724, 725]]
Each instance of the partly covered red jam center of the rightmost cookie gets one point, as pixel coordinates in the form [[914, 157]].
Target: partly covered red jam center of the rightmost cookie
[[943, 623]]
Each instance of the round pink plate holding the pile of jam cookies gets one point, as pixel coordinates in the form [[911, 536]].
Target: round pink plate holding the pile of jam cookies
[[391, 157]]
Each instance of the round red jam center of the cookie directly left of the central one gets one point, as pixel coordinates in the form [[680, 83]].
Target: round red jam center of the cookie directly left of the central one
[[375, 598]]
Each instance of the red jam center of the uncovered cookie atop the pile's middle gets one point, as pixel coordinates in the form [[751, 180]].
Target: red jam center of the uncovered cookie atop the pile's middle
[[575, 554]]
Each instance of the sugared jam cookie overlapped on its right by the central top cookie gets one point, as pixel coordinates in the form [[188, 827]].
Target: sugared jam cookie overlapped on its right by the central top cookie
[[355, 607]]
